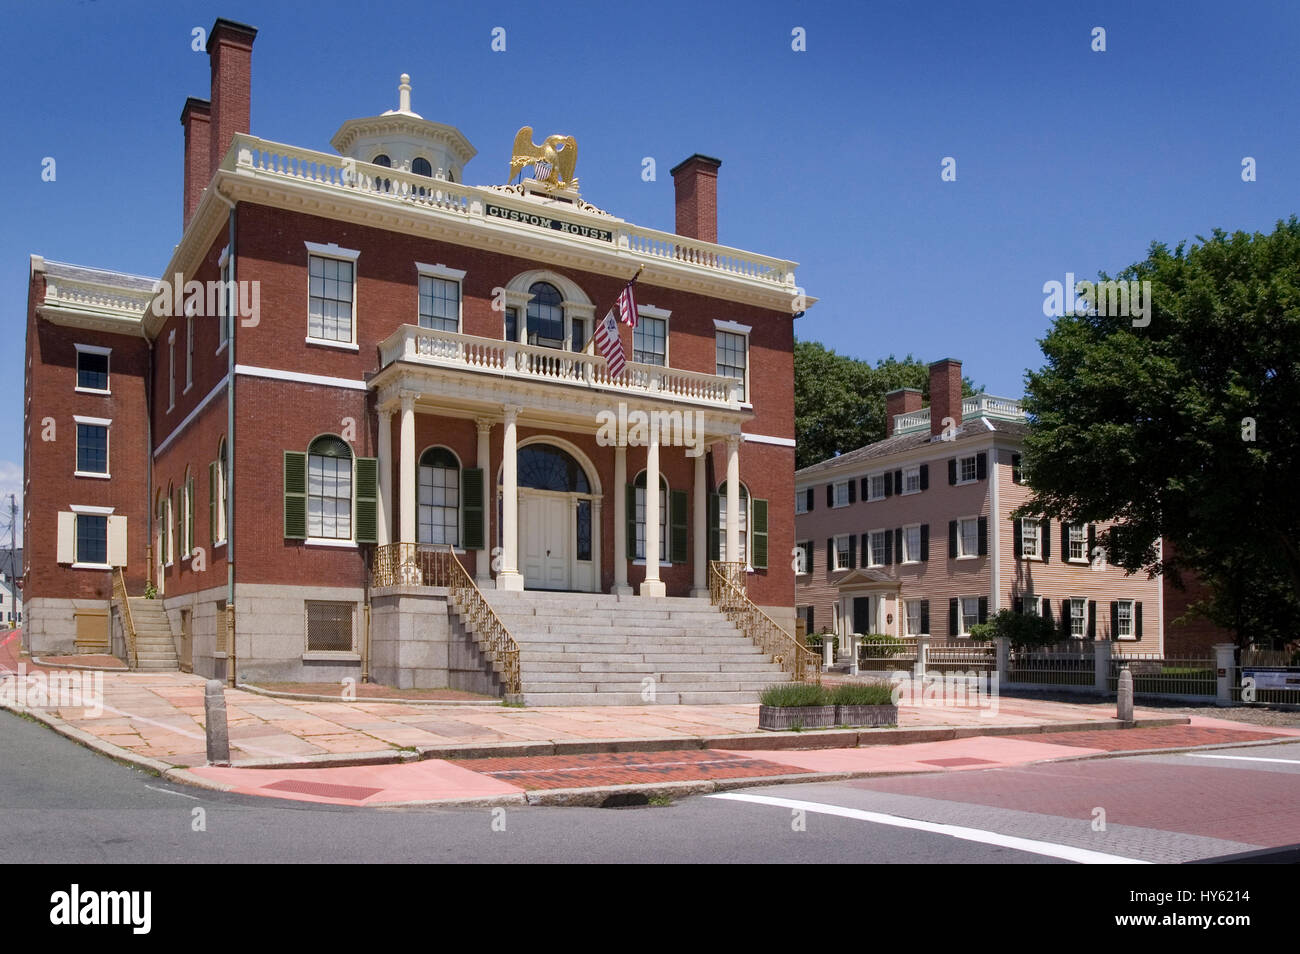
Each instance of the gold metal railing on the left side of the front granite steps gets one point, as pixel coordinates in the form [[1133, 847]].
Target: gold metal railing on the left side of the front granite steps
[[410, 565]]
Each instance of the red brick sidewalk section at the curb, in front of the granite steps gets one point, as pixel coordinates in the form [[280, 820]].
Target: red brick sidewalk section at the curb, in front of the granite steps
[[625, 769]]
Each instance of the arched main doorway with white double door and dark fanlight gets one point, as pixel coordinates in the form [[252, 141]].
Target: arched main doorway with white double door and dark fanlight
[[558, 519]]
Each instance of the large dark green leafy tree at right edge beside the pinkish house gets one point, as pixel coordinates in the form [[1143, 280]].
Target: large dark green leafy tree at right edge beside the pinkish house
[[1186, 428]]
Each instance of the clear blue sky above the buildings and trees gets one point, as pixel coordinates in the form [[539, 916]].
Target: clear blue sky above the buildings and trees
[[1068, 161]]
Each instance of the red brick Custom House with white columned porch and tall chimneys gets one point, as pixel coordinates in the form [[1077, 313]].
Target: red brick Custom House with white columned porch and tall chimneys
[[350, 352]]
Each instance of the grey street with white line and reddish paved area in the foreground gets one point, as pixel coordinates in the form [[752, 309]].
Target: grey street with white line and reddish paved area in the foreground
[[64, 804]]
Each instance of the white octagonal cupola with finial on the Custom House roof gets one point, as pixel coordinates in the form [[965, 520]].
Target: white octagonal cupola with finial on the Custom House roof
[[404, 140]]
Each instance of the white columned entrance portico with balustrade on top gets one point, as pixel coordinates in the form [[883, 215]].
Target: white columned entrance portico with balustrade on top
[[547, 498]]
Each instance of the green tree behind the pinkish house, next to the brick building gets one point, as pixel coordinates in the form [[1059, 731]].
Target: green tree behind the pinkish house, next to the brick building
[[840, 401]]
